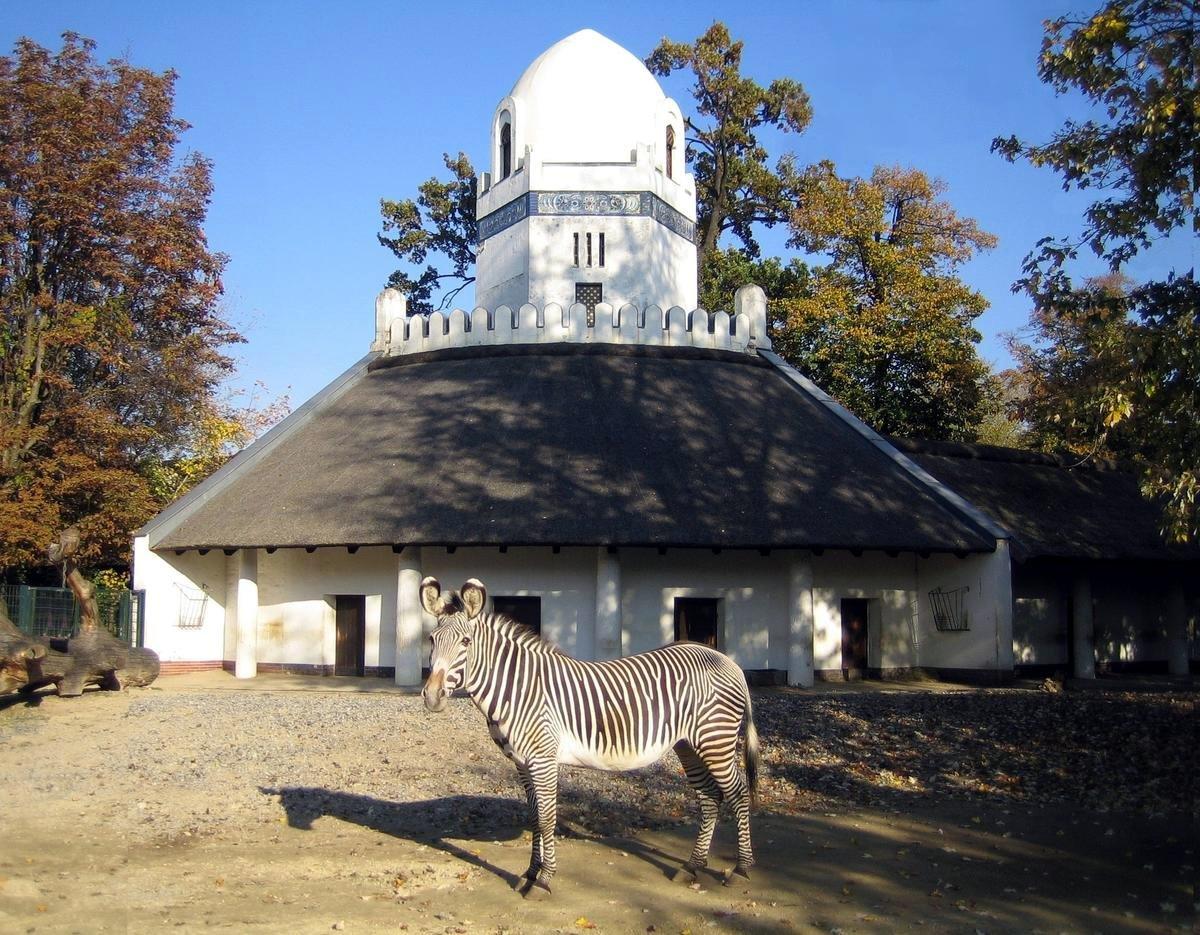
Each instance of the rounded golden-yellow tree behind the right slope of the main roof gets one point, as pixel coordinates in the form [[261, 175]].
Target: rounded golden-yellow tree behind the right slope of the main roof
[[886, 326]]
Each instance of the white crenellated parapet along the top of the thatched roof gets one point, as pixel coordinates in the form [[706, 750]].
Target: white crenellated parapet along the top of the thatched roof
[[745, 331]]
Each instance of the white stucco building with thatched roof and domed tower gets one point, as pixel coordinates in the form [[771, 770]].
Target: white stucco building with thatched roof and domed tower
[[620, 467]]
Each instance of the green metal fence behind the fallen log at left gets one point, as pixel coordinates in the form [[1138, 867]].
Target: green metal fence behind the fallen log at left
[[55, 613]]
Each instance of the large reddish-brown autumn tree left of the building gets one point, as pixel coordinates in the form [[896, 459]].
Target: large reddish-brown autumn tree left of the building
[[111, 335]]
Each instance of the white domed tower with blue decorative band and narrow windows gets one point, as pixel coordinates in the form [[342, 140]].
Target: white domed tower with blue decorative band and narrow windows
[[589, 199]]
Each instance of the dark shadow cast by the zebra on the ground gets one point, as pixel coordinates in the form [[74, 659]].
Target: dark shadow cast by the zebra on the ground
[[439, 823]]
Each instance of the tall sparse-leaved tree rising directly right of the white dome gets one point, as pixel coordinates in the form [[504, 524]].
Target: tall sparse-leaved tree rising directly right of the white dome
[[735, 189]]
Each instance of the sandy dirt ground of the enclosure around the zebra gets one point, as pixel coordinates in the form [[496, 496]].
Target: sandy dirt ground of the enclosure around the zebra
[[184, 807]]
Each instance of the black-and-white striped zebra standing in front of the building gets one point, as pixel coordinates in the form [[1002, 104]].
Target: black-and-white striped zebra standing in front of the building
[[545, 709]]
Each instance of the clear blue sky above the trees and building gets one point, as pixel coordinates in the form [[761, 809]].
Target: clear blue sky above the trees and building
[[313, 113]]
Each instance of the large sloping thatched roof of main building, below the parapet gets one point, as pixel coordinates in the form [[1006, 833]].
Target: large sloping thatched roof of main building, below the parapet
[[568, 446]]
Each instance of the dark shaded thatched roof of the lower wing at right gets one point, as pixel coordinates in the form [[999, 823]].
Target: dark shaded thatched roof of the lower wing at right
[[1054, 506]]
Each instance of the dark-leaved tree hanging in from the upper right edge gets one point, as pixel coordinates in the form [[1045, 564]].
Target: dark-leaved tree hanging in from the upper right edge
[[1136, 63]]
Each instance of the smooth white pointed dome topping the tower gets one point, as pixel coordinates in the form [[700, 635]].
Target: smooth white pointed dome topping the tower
[[587, 100]]
